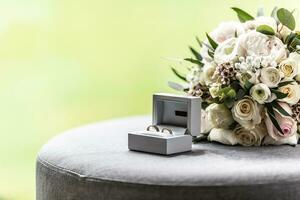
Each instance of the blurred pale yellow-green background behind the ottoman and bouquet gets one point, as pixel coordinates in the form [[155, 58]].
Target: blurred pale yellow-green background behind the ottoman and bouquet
[[65, 63]]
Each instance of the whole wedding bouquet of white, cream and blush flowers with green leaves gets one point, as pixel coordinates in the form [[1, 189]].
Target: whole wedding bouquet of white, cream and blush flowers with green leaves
[[247, 74]]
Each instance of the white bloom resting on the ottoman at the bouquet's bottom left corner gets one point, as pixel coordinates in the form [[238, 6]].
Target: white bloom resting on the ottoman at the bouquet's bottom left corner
[[222, 136]]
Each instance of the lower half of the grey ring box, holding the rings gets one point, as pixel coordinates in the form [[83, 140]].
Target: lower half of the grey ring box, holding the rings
[[166, 145]]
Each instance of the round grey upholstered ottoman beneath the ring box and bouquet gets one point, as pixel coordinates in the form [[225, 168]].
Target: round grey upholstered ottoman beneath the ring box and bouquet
[[93, 163]]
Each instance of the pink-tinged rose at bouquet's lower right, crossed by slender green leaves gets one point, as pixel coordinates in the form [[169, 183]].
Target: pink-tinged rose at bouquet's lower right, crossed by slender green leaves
[[287, 124]]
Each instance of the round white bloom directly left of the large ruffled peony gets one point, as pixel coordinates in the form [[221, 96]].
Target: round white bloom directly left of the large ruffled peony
[[227, 51]]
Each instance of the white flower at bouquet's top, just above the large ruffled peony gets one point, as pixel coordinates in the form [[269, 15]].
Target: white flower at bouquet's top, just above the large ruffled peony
[[263, 20]]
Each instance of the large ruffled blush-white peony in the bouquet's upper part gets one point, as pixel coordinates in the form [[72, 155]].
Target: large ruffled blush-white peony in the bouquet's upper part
[[257, 44]]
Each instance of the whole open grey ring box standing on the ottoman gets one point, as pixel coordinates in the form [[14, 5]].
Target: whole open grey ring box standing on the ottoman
[[178, 114]]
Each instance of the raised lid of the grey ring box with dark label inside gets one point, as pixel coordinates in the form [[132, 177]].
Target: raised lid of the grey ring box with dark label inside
[[180, 113]]
